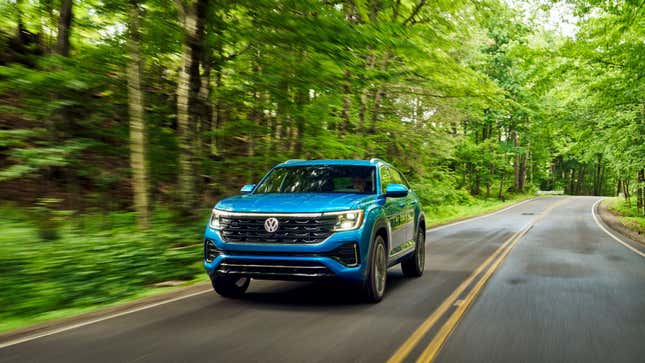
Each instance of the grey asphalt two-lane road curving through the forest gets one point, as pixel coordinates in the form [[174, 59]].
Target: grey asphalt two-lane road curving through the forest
[[540, 282]]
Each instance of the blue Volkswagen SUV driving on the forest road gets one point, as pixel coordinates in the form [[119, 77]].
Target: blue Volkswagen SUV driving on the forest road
[[317, 219]]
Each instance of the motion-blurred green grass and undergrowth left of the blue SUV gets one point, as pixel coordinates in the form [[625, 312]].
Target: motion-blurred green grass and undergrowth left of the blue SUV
[[97, 260]]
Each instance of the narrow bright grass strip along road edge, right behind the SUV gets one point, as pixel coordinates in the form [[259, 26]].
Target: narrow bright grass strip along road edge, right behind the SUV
[[444, 214]]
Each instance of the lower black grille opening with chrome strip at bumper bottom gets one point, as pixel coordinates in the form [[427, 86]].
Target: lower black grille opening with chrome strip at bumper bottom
[[274, 269]]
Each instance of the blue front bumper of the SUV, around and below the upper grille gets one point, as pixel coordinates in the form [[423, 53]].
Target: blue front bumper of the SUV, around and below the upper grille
[[342, 255]]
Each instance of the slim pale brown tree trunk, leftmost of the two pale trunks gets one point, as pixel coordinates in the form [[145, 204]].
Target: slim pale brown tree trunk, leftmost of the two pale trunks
[[138, 157]]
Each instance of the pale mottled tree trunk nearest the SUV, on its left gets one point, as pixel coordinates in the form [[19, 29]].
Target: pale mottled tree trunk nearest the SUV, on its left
[[188, 87]]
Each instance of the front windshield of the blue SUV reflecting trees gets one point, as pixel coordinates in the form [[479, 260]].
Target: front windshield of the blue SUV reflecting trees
[[319, 179]]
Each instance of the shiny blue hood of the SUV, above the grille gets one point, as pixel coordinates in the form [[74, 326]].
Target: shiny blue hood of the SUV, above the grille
[[292, 202]]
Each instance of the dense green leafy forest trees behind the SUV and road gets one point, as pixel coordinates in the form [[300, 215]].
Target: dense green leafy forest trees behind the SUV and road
[[136, 105]]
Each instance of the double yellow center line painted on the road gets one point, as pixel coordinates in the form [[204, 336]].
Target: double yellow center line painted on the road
[[433, 348]]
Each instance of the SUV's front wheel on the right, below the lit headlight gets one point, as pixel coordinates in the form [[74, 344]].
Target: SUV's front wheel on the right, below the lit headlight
[[374, 285]]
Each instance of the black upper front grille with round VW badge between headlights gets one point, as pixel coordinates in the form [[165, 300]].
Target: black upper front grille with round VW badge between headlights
[[291, 230]]
